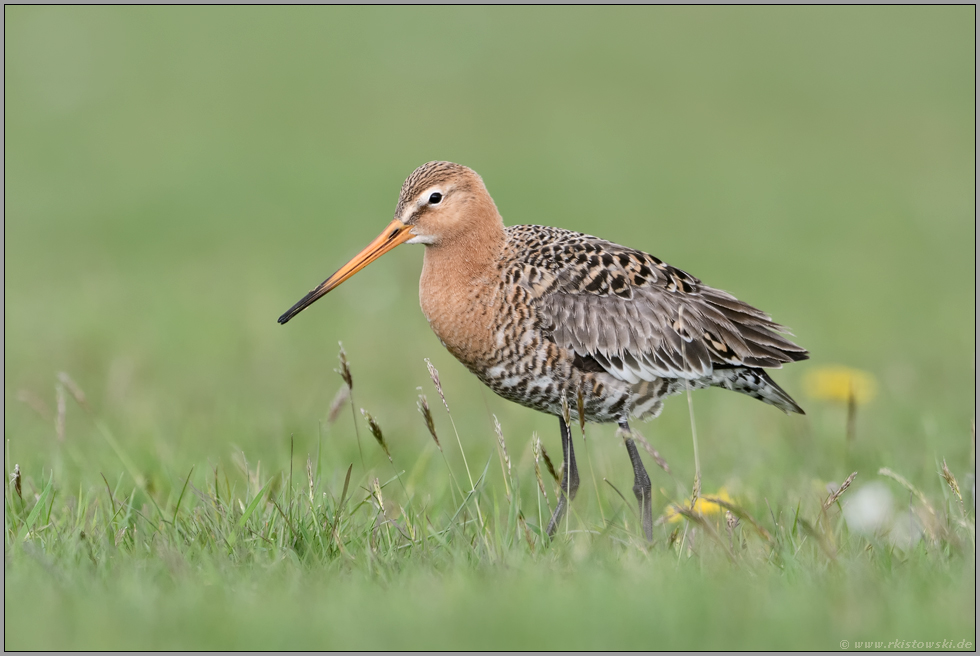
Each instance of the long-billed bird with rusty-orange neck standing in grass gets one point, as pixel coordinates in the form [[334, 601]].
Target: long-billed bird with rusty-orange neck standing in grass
[[563, 322]]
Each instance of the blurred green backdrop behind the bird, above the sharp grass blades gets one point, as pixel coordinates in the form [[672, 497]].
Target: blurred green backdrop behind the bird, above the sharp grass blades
[[177, 177]]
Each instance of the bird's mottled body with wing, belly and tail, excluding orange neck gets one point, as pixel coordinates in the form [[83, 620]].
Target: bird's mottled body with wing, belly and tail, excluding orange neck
[[573, 314]]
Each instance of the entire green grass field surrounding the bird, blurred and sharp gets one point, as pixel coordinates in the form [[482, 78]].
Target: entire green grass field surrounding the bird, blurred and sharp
[[175, 178]]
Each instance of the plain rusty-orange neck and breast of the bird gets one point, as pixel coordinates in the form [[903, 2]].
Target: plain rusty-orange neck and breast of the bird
[[460, 279]]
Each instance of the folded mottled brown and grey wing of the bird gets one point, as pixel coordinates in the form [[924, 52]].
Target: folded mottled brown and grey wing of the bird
[[638, 317]]
